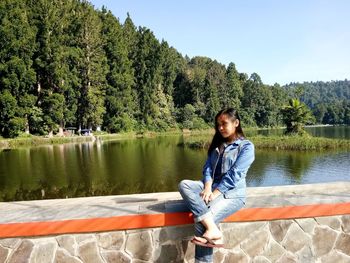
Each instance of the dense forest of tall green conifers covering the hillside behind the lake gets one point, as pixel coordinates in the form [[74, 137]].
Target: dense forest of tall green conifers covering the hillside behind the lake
[[65, 64]]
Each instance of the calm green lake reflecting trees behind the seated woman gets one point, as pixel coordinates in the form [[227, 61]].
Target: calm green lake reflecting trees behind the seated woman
[[151, 165]]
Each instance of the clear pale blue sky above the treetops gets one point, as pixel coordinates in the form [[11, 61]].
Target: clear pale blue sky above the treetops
[[282, 41]]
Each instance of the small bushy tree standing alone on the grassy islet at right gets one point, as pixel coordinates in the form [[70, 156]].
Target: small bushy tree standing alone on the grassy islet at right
[[295, 116]]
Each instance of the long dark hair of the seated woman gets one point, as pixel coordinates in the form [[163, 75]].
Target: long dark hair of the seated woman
[[218, 139]]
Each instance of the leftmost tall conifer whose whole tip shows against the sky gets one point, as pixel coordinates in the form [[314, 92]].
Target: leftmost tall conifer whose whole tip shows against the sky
[[120, 101]]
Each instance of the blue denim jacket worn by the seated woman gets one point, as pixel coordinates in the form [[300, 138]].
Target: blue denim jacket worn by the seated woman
[[237, 158]]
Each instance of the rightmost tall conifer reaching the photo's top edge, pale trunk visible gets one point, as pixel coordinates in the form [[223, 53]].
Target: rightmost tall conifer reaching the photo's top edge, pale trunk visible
[[92, 64]]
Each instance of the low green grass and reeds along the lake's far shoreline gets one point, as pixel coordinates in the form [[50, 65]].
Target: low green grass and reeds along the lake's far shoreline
[[191, 140]]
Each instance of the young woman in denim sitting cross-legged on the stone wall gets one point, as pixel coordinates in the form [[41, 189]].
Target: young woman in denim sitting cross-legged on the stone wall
[[222, 189]]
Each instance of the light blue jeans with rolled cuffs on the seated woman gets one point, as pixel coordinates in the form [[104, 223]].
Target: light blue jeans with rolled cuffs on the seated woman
[[218, 209]]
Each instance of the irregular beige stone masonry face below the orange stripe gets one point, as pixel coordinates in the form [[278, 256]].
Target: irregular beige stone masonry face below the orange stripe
[[322, 239]]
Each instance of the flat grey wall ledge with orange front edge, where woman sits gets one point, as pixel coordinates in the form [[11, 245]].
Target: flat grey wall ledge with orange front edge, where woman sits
[[109, 213]]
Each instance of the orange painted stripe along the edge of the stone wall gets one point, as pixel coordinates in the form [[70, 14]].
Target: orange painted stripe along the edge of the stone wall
[[165, 219]]
